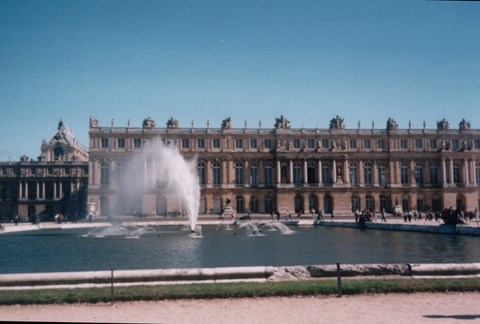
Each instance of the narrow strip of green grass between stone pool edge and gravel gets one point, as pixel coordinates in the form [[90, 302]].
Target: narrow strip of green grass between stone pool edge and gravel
[[236, 290]]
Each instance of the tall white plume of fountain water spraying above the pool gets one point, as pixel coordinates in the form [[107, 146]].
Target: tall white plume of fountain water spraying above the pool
[[165, 167]]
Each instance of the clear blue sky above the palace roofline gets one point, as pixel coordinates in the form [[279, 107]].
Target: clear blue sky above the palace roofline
[[251, 60]]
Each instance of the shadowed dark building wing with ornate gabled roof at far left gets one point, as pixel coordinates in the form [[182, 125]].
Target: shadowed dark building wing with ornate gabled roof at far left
[[54, 183]]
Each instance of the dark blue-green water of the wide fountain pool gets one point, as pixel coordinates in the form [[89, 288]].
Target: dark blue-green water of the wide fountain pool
[[156, 247]]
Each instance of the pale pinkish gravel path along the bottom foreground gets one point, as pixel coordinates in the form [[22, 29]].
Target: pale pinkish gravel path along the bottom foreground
[[390, 308]]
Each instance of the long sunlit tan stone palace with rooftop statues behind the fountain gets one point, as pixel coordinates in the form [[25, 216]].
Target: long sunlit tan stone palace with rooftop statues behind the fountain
[[261, 170]]
